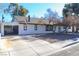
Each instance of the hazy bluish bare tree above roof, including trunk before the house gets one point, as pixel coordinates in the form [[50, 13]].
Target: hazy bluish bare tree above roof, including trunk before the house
[[53, 17]]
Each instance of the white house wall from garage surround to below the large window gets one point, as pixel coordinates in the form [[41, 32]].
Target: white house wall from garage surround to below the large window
[[30, 29]]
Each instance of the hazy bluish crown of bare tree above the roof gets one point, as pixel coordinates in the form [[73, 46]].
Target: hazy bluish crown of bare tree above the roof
[[51, 16]]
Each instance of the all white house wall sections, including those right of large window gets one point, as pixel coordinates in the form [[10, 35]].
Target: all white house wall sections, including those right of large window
[[31, 30]]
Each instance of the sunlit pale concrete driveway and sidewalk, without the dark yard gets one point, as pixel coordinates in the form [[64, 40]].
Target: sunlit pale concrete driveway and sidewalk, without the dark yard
[[34, 46]]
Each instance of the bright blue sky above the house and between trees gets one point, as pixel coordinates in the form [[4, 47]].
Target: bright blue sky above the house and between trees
[[35, 9]]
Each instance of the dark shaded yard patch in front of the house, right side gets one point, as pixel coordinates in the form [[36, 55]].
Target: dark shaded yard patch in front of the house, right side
[[57, 37]]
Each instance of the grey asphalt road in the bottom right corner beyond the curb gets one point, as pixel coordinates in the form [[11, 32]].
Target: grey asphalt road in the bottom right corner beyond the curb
[[69, 51]]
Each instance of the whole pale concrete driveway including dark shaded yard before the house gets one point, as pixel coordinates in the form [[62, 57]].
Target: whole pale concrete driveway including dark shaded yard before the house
[[37, 45]]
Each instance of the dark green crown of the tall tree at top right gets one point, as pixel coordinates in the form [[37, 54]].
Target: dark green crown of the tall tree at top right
[[72, 8]]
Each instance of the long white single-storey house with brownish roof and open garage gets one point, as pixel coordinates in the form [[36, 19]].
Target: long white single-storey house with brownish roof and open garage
[[25, 25]]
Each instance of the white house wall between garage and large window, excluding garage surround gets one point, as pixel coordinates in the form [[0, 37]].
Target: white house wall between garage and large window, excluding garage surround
[[30, 29]]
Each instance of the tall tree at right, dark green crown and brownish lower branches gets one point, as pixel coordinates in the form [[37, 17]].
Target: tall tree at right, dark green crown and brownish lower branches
[[71, 13]]
